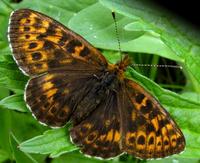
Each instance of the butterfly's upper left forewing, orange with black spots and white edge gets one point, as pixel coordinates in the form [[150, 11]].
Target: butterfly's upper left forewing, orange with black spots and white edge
[[41, 44]]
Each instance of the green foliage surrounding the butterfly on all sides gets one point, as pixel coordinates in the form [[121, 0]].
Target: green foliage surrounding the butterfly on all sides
[[144, 30]]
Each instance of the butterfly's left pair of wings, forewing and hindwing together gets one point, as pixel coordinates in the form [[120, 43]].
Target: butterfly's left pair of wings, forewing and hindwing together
[[61, 65]]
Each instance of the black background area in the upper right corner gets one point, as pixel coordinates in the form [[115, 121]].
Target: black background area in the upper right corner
[[189, 10]]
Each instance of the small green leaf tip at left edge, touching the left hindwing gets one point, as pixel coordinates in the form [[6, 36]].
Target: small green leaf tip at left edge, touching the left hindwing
[[14, 102]]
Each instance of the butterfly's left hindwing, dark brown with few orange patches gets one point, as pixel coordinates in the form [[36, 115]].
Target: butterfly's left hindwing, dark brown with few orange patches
[[53, 96]]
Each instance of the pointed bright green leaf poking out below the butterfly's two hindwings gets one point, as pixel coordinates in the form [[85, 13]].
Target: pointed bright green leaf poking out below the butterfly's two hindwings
[[54, 142]]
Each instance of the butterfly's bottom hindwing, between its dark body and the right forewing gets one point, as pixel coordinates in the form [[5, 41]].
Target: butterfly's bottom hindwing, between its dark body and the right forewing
[[99, 134]]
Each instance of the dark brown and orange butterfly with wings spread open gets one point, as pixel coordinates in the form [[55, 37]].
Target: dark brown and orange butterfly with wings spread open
[[71, 81]]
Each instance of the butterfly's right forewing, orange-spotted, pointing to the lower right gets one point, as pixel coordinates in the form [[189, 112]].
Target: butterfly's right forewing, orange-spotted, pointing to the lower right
[[147, 129]]
